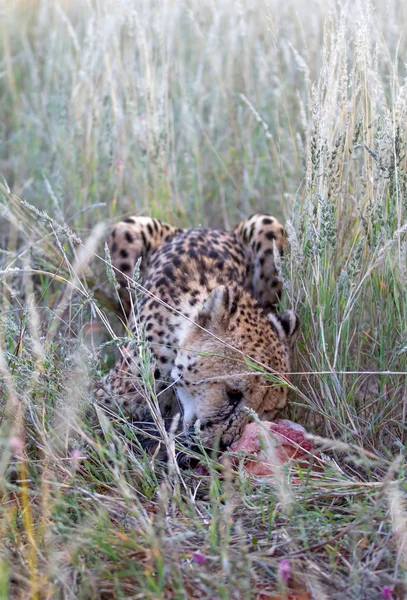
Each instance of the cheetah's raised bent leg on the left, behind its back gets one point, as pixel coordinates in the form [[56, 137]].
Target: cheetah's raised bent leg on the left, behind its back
[[131, 239]]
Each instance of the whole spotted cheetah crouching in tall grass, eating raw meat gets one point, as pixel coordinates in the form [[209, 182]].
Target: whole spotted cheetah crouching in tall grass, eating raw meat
[[208, 314]]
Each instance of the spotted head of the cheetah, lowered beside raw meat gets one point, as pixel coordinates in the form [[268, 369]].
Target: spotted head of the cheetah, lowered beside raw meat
[[216, 372]]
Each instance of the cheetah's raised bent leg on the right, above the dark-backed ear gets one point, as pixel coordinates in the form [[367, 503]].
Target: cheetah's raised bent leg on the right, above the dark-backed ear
[[262, 235]]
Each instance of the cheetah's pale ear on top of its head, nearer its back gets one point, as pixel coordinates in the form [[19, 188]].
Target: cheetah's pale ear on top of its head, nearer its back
[[221, 304]]
